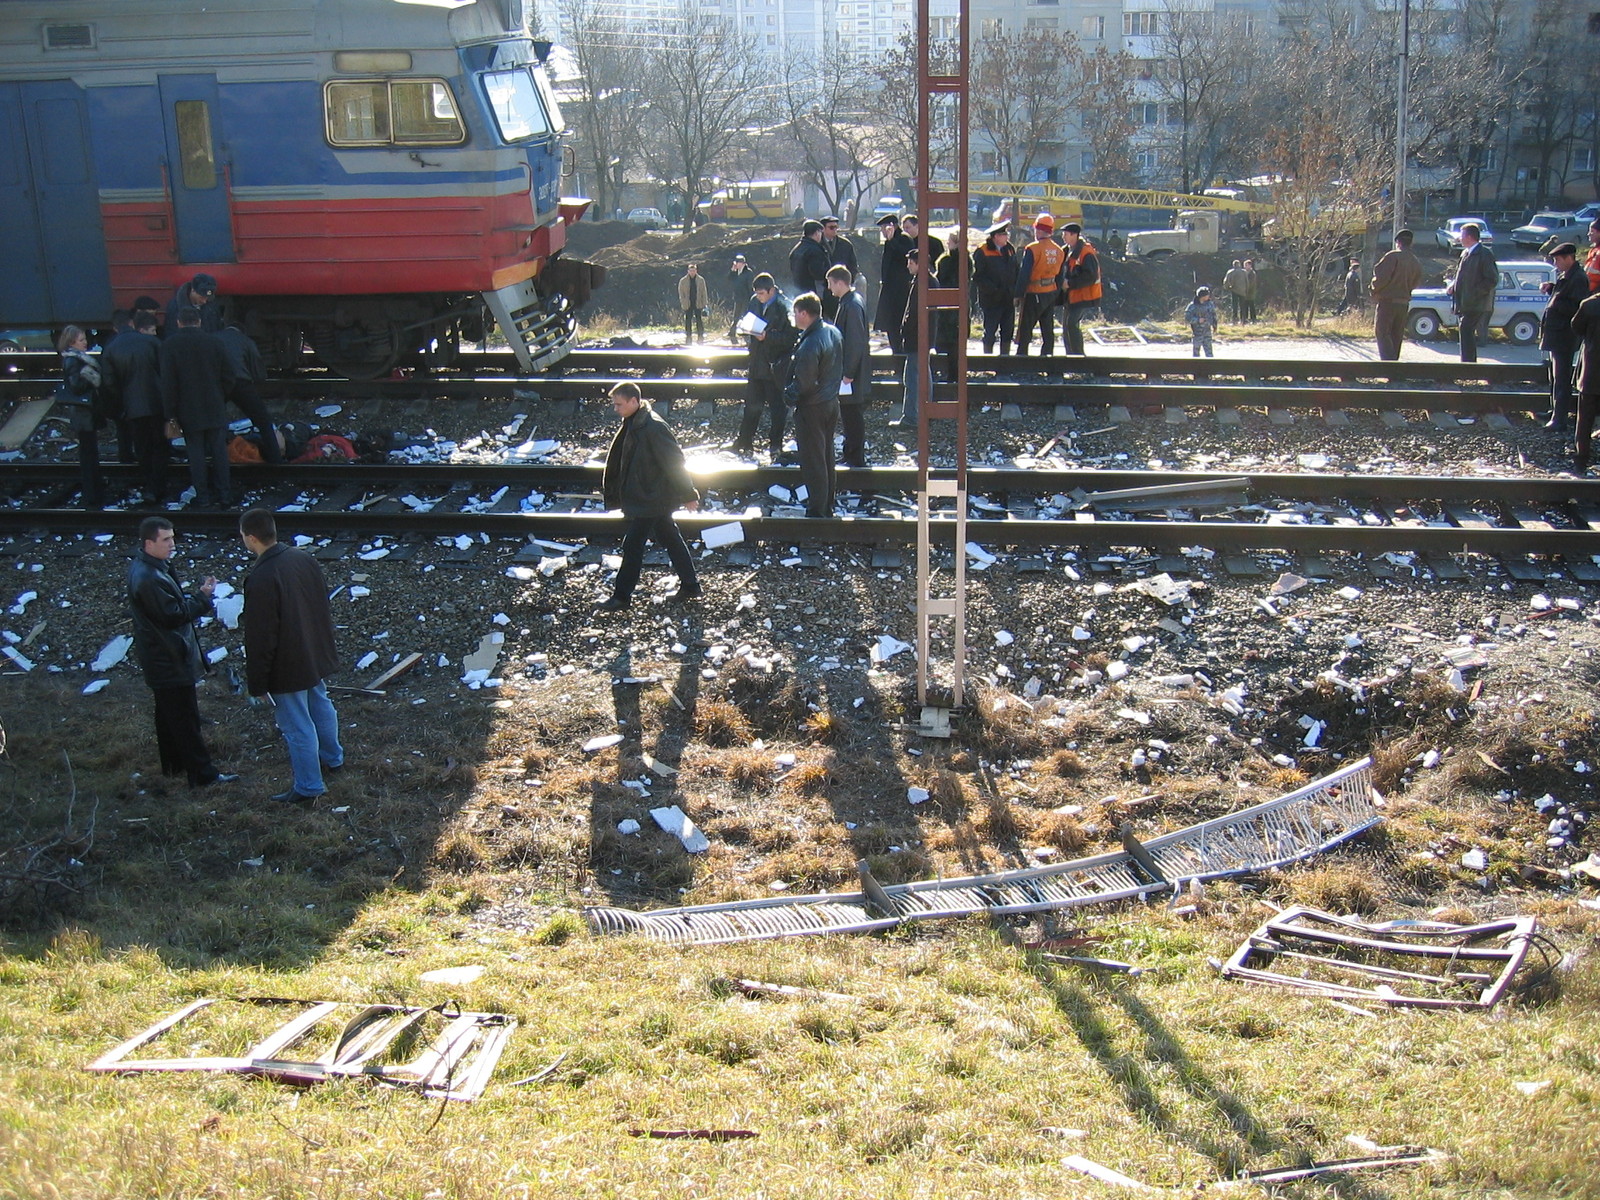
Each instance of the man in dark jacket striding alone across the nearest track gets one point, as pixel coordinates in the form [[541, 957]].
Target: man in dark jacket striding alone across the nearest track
[[646, 479]]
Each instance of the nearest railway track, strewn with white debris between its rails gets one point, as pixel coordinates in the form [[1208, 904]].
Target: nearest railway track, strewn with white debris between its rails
[[1508, 519]]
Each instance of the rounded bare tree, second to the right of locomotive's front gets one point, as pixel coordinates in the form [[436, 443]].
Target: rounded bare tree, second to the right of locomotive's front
[[708, 84]]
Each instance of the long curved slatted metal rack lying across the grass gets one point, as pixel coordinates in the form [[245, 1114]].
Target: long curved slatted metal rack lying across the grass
[[1295, 826]]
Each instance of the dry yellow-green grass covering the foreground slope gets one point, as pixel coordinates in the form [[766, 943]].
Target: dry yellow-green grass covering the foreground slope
[[937, 1084]]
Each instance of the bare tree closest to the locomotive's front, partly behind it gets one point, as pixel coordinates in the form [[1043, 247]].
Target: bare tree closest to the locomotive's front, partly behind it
[[607, 113]]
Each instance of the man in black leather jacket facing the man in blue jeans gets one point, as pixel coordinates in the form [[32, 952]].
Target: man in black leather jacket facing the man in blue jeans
[[164, 638]]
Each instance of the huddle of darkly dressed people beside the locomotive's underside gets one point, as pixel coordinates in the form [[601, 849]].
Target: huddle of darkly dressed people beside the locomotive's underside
[[156, 383]]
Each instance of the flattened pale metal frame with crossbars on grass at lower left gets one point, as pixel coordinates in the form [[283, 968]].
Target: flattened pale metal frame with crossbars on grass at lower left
[[385, 1044]]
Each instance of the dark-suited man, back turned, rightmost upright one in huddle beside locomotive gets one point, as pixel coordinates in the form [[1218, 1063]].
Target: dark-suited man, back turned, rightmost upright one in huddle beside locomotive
[[196, 382]]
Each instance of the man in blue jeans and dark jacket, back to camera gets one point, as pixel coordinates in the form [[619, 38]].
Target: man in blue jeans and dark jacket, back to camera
[[289, 654]]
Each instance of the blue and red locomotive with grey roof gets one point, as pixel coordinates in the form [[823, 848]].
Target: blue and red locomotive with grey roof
[[372, 178]]
